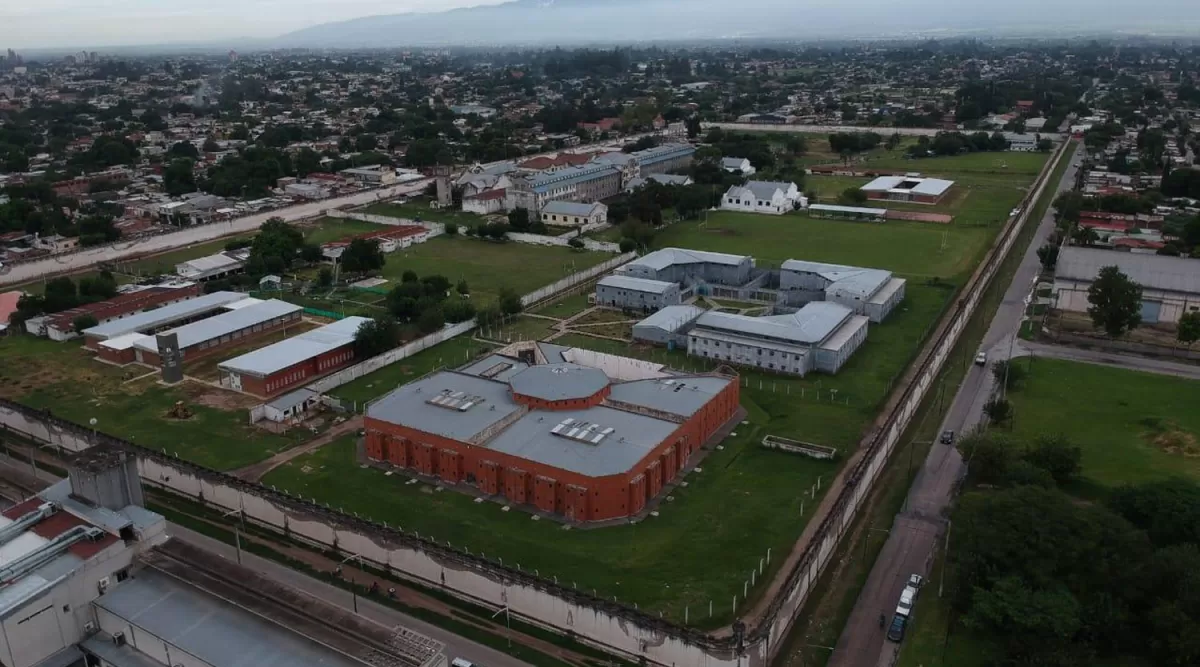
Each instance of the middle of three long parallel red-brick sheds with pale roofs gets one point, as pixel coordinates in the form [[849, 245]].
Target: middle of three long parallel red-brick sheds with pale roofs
[[251, 320]]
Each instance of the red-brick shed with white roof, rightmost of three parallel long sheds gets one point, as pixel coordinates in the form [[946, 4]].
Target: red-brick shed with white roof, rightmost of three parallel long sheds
[[295, 362]]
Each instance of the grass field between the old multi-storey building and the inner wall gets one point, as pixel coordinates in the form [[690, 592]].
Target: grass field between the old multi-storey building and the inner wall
[[488, 267]]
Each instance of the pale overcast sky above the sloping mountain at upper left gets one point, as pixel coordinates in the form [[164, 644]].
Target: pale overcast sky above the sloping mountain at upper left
[[99, 23]]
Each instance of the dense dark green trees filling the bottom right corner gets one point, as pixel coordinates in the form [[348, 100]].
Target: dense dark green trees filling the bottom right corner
[[1051, 581]]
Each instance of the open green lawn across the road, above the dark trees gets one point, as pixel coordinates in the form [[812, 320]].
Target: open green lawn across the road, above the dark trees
[[1124, 420]]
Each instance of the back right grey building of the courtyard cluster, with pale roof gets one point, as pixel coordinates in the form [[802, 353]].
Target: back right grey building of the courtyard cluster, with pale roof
[[874, 293]]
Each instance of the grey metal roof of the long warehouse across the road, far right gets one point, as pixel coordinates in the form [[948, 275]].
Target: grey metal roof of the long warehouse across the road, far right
[[1151, 272]]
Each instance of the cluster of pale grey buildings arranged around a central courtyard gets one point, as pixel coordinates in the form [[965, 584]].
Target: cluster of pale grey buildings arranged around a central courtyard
[[820, 313]]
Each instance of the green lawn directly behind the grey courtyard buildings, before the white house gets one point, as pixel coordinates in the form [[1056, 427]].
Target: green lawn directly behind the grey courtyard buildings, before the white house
[[913, 249]]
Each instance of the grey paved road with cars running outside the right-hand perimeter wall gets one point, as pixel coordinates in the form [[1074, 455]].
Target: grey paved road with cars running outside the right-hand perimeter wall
[[916, 531]]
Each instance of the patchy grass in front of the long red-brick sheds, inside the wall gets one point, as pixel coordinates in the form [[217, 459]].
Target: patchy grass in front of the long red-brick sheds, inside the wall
[[64, 378]]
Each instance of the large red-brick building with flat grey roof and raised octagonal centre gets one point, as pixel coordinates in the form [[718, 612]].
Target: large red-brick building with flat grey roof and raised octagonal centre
[[560, 438]]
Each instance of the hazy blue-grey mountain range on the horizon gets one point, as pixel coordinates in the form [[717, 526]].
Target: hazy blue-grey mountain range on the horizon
[[572, 22]]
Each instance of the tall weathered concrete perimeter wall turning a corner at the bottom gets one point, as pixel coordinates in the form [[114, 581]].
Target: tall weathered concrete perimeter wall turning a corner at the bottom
[[538, 599]]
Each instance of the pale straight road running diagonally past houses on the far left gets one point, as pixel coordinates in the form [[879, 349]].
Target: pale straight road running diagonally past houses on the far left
[[82, 261]]
